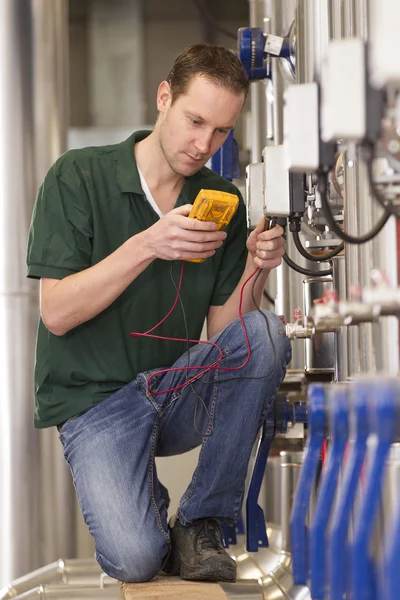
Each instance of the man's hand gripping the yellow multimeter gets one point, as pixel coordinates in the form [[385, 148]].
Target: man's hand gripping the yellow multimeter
[[176, 237]]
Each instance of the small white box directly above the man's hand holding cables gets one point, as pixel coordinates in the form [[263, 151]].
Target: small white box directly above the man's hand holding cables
[[276, 182]]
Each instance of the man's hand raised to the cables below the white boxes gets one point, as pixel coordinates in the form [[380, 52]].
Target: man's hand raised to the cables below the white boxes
[[266, 247]]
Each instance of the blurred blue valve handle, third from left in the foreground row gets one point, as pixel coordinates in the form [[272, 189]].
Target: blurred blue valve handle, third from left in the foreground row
[[337, 552]]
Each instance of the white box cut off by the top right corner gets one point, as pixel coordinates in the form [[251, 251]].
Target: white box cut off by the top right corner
[[384, 42]]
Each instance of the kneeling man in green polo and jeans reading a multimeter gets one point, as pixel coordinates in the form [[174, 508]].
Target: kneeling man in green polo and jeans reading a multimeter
[[109, 233]]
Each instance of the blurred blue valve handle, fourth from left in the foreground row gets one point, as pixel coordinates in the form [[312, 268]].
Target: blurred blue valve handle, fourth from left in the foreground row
[[382, 417]]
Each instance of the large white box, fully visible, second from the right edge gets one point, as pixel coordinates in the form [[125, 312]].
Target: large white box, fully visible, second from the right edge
[[344, 91]]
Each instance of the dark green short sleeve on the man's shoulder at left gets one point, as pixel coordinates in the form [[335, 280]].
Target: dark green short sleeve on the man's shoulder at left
[[60, 235]]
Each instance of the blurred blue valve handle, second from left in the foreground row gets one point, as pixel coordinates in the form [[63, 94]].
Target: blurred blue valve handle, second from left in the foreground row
[[328, 485]]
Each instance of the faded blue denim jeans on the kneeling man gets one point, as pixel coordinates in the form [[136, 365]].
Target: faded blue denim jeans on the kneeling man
[[110, 449]]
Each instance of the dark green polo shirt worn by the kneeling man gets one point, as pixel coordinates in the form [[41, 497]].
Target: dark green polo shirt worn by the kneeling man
[[90, 202]]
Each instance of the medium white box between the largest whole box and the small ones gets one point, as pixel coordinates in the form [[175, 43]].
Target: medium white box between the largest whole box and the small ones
[[301, 118]]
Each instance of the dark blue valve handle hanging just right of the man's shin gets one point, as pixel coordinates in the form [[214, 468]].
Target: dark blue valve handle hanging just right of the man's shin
[[256, 534]]
